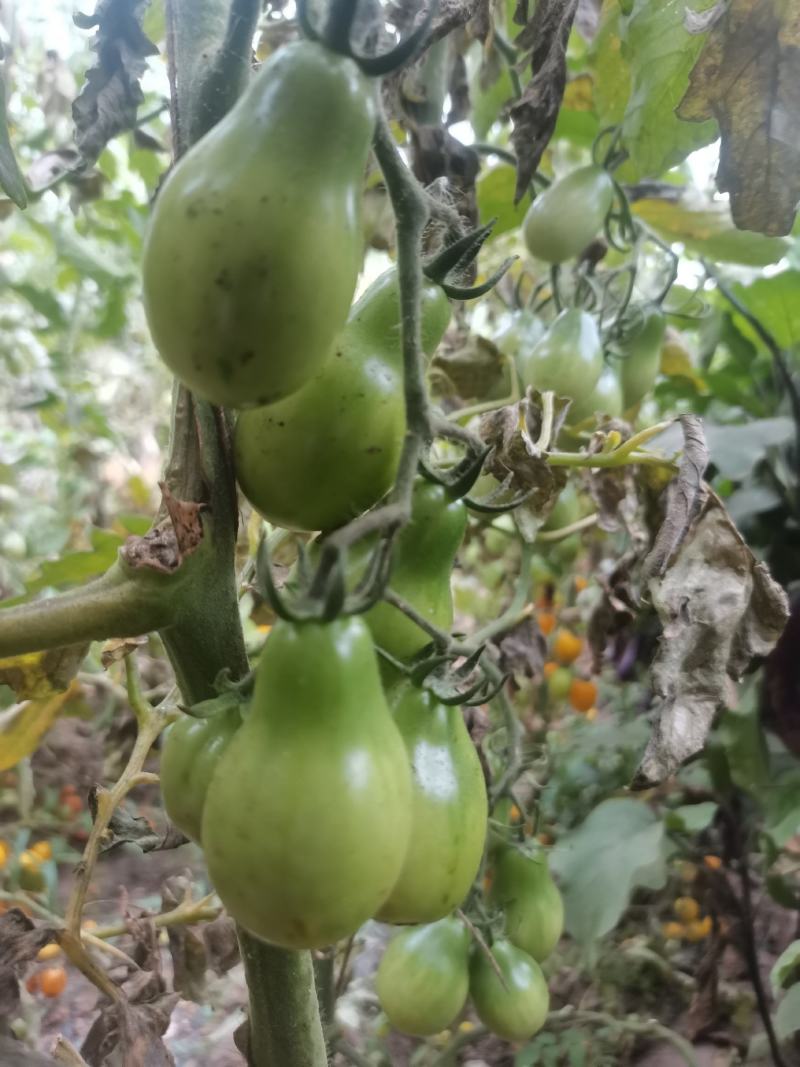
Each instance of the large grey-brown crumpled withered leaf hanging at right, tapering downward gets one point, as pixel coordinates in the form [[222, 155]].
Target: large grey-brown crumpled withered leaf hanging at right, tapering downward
[[719, 610]]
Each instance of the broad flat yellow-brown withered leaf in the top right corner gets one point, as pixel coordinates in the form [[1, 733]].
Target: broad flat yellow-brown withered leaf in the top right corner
[[748, 78]]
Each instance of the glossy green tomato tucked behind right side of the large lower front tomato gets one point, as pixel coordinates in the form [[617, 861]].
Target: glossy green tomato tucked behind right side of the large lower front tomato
[[449, 824]]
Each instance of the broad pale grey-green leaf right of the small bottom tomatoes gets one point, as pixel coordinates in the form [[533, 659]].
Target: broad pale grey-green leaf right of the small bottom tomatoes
[[620, 847]]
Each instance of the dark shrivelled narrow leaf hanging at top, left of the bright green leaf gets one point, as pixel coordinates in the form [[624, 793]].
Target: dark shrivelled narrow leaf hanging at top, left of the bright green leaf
[[536, 113]]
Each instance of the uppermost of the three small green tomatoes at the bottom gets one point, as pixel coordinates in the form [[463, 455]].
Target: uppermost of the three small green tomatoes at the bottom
[[535, 913]]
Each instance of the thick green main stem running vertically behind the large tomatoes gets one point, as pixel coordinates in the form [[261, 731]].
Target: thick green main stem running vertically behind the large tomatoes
[[284, 1022]]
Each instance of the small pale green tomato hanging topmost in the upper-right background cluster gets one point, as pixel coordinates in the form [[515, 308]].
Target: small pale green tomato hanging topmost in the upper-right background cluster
[[568, 216]]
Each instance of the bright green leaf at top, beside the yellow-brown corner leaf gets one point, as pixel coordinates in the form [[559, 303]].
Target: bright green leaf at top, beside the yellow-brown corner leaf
[[662, 54]]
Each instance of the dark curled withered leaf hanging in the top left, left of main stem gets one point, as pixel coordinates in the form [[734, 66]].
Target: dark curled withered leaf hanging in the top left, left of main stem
[[111, 94]]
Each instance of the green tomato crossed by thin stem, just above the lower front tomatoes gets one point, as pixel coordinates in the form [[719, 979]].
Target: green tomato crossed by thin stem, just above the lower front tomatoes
[[422, 562]]
